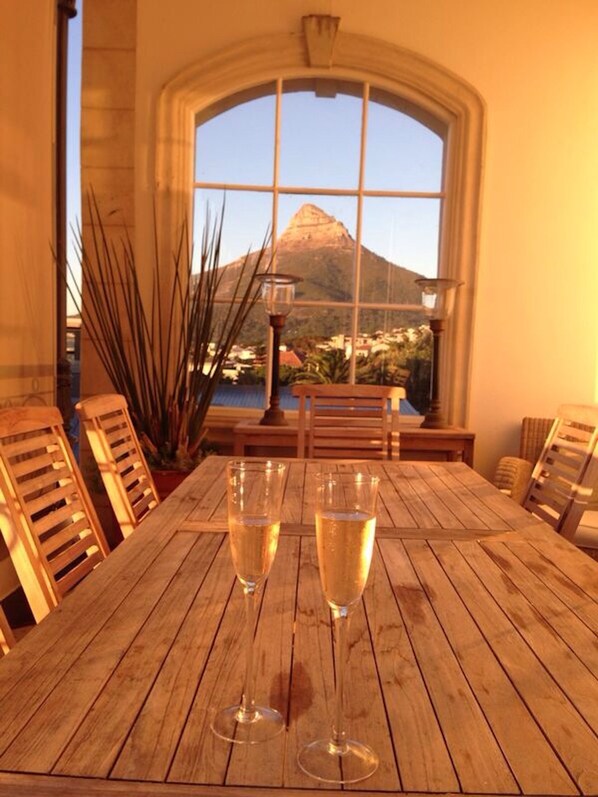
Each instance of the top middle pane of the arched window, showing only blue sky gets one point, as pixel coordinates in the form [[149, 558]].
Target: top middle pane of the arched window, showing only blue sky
[[319, 135]]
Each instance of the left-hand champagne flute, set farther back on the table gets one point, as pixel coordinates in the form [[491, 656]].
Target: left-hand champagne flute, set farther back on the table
[[254, 491]]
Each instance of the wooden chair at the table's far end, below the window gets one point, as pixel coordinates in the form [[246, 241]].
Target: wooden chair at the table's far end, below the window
[[348, 421]]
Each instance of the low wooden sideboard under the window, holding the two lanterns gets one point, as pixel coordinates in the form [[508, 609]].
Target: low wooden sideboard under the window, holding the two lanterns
[[452, 444]]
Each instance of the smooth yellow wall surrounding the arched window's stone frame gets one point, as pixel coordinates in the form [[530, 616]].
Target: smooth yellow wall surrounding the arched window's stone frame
[[535, 63]]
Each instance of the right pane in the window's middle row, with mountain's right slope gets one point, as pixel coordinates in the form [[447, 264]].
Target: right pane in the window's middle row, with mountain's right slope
[[399, 244]]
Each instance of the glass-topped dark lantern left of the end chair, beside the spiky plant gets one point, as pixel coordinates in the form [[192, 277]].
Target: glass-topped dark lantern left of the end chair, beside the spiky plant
[[278, 295]]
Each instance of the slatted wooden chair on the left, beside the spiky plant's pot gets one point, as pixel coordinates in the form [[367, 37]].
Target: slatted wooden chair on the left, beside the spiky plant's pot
[[115, 447]]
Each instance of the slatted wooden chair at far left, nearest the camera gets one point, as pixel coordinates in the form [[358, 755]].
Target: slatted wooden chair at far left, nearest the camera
[[46, 516]]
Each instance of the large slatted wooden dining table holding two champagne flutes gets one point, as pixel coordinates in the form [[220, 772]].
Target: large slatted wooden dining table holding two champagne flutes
[[473, 659]]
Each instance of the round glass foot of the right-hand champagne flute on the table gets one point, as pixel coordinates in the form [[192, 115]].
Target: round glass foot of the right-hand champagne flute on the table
[[347, 763]]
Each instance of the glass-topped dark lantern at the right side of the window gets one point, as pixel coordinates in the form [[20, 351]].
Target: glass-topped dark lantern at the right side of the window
[[438, 299]]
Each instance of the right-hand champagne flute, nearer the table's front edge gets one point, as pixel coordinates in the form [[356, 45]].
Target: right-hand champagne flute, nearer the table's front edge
[[345, 530]]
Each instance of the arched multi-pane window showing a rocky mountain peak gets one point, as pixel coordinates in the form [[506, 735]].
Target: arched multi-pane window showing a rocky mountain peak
[[350, 181]]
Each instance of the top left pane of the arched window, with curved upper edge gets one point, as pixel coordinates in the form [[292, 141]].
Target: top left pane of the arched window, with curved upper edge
[[237, 144]]
